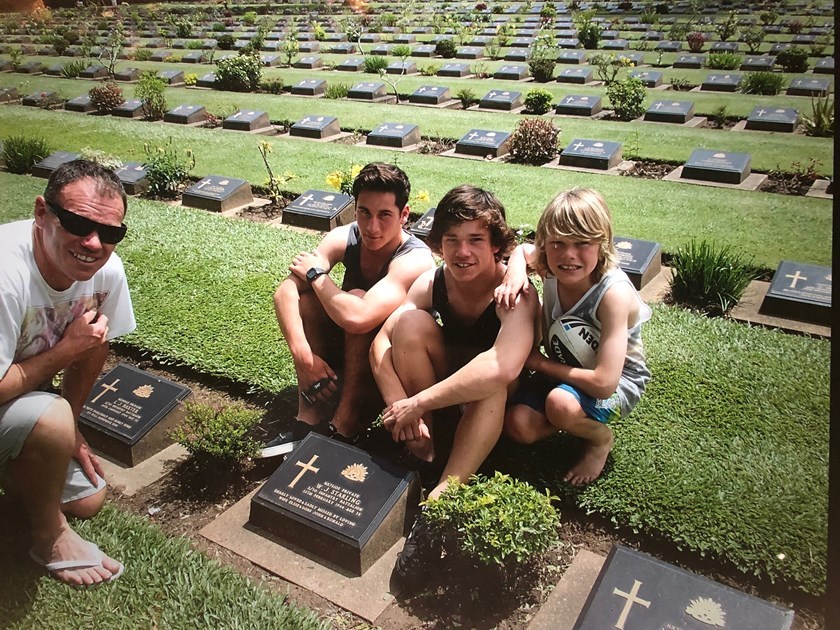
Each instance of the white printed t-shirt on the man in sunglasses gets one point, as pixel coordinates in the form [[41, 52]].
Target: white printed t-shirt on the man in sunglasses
[[33, 315]]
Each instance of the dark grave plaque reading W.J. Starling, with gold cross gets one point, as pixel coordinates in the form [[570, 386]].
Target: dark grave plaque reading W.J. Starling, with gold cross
[[337, 502]]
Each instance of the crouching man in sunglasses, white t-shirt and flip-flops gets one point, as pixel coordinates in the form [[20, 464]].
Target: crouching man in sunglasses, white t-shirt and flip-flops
[[63, 297]]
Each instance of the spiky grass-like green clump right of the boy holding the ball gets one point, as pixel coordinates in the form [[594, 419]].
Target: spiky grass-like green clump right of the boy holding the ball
[[708, 278]]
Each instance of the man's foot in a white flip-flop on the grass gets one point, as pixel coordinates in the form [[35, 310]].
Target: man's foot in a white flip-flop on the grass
[[70, 547]]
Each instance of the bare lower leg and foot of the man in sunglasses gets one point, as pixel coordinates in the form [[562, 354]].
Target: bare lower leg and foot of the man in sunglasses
[[37, 476]]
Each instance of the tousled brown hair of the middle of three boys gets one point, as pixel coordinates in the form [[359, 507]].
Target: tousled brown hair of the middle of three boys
[[469, 203]]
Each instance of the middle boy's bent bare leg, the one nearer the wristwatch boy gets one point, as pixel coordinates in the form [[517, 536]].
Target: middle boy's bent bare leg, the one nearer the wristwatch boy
[[420, 362]]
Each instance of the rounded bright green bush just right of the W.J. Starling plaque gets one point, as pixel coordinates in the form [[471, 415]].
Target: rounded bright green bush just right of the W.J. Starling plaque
[[494, 521]]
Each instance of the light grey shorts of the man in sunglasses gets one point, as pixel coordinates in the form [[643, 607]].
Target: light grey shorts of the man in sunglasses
[[17, 419]]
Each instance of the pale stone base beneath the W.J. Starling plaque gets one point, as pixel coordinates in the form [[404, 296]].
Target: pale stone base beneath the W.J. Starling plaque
[[366, 596]]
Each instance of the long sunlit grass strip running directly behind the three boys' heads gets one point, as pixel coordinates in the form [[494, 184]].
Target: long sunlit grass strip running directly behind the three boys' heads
[[768, 226]]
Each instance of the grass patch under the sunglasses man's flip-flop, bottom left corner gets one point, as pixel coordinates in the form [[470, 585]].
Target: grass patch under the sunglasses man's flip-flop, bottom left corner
[[166, 584]]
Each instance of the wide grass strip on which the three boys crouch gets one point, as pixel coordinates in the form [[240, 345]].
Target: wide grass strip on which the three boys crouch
[[726, 454]]
